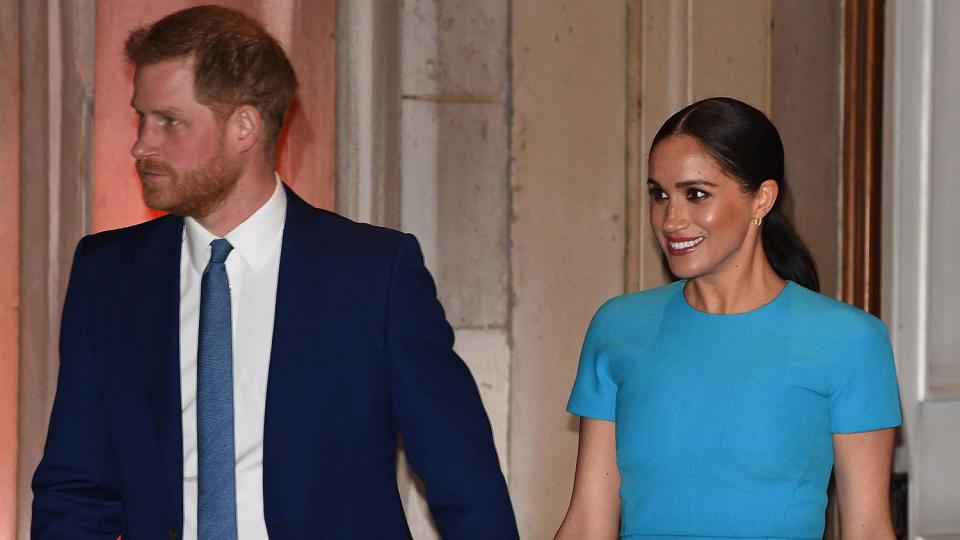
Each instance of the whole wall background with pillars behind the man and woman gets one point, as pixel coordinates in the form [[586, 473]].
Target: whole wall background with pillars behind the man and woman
[[511, 137]]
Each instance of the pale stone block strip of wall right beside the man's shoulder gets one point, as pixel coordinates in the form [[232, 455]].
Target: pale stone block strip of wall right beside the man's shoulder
[[454, 159]]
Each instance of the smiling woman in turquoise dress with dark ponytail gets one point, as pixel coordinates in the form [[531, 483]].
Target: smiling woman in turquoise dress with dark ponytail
[[716, 406]]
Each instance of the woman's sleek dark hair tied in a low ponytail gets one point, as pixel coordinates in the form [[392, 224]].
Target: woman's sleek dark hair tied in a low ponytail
[[746, 145]]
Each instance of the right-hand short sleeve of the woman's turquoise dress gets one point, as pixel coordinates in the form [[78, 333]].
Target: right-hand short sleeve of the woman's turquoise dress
[[865, 396]]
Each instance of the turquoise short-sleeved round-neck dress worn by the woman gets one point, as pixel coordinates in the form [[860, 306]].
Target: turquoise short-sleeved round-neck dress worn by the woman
[[724, 423]]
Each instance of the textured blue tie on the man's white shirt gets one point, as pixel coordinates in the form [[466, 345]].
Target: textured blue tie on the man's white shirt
[[217, 500]]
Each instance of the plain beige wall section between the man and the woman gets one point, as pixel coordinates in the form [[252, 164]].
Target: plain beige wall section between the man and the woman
[[567, 229]]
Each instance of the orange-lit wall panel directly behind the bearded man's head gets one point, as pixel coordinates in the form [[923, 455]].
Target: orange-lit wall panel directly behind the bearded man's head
[[306, 157]]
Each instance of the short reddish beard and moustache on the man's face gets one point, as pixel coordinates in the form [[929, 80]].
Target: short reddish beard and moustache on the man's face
[[194, 193]]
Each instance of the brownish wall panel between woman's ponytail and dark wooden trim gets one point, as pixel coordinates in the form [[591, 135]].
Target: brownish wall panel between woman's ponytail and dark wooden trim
[[805, 106]]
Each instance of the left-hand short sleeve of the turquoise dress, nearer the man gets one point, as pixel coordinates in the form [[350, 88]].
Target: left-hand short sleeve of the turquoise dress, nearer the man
[[594, 393]]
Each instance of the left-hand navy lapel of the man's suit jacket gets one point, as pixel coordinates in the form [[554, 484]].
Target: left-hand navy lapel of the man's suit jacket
[[156, 340]]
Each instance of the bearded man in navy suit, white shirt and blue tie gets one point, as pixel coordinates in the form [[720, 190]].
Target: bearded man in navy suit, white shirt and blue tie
[[242, 366]]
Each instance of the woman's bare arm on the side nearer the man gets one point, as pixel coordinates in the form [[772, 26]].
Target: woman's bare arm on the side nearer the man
[[594, 511]]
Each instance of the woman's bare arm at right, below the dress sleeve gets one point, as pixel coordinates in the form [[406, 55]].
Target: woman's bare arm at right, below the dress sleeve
[[862, 470]]
